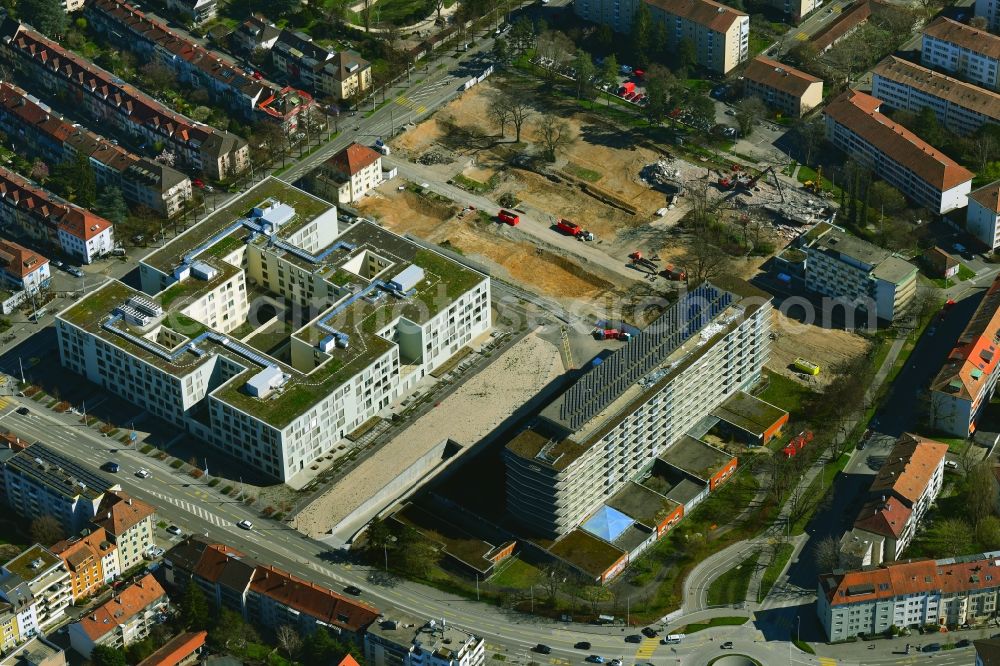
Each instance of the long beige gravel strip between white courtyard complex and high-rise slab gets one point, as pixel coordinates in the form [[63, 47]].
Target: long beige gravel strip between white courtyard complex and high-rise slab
[[466, 416]]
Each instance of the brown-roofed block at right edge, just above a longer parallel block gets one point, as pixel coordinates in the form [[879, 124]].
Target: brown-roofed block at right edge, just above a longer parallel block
[[969, 53]]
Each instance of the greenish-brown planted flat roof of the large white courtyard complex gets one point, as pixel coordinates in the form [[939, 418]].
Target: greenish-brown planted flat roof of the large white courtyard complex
[[352, 313]]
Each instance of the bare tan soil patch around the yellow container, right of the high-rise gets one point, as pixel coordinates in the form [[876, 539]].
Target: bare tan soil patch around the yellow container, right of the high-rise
[[826, 347]]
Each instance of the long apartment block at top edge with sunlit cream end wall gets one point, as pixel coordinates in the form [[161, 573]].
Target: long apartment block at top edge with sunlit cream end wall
[[720, 34]]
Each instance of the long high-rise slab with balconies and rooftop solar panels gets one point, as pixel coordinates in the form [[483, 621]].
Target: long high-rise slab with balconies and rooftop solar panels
[[617, 419]]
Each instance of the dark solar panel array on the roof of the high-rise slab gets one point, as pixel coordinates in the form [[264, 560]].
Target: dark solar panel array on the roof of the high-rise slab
[[601, 386]]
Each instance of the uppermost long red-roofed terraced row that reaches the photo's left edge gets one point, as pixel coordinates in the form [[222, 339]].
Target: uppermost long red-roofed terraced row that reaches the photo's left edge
[[119, 106]]
